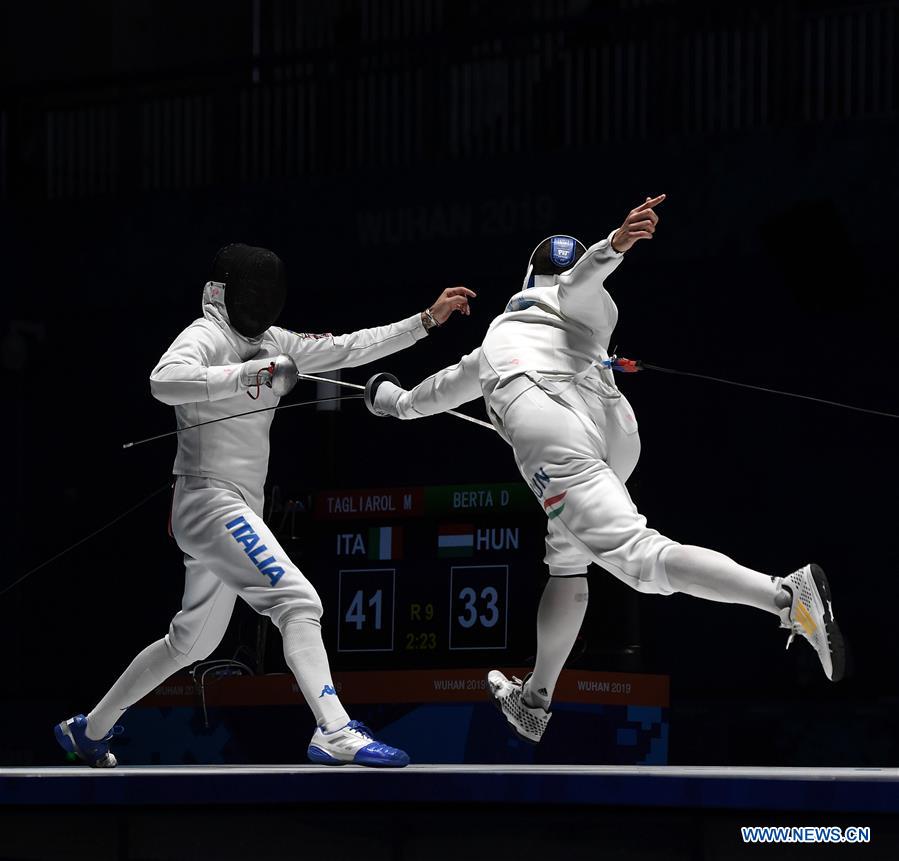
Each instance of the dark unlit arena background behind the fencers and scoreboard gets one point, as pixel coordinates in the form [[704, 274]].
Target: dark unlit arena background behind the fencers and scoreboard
[[389, 149]]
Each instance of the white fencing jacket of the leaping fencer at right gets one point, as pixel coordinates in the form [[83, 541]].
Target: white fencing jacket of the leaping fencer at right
[[552, 332]]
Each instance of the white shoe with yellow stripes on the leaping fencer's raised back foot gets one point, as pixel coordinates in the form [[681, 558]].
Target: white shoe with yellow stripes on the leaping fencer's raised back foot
[[810, 615]]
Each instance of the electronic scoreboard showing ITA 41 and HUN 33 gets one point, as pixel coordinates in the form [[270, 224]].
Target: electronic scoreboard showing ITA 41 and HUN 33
[[440, 576]]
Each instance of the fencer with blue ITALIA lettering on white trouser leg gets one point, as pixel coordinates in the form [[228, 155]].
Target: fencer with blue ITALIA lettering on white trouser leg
[[220, 468]]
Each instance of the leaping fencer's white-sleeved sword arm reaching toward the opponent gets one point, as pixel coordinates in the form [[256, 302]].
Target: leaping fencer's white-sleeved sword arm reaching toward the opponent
[[445, 390]]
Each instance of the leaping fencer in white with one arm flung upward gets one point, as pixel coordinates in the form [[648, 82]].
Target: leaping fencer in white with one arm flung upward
[[543, 372]]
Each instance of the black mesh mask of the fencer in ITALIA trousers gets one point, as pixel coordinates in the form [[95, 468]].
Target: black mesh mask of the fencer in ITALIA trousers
[[255, 287]]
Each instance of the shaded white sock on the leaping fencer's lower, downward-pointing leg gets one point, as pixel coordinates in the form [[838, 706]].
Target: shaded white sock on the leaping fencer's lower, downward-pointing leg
[[559, 618]]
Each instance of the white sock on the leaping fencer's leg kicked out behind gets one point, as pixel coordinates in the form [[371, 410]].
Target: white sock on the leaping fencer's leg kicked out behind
[[711, 575]]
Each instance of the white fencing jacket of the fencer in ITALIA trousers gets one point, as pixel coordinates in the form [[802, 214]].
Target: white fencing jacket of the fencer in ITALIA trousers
[[199, 375]]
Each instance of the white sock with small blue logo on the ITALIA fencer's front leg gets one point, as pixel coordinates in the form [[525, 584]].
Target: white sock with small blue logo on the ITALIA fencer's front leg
[[308, 661]]
